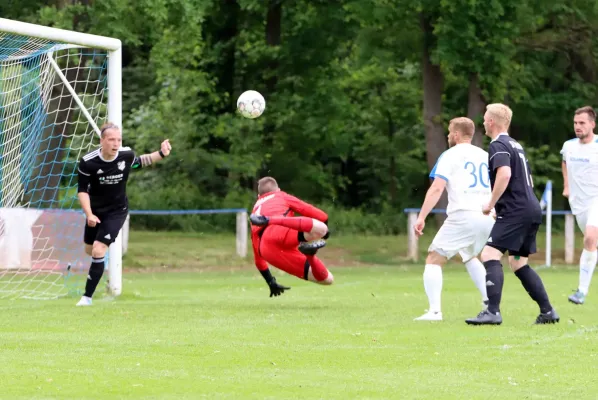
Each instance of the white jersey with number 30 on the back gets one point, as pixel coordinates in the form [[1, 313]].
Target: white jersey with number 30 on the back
[[465, 169]]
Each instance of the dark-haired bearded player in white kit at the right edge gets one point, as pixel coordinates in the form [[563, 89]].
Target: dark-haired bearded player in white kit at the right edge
[[580, 175]]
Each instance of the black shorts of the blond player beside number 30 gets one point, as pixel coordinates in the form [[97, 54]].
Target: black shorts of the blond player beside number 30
[[516, 236]]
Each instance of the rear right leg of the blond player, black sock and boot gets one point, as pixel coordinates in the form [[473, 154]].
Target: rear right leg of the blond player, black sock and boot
[[534, 286]]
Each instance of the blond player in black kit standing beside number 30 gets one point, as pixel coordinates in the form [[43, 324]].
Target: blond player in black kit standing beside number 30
[[518, 217]]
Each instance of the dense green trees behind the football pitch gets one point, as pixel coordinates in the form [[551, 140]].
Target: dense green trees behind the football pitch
[[359, 93]]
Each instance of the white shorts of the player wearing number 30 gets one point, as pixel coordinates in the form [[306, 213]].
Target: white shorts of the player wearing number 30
[[463, 232]]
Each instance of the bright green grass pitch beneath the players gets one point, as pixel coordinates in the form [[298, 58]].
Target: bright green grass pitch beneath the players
[[211, 331]]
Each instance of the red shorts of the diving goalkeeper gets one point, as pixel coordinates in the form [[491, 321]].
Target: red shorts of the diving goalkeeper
[[278, 246]]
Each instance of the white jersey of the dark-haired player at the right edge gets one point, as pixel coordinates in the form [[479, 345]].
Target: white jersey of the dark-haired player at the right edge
[[582, 173]]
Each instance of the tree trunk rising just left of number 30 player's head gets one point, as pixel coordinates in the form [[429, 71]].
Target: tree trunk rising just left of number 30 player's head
[[433, 83]]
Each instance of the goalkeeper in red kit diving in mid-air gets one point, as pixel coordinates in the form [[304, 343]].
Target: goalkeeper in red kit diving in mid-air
[[285, 241]]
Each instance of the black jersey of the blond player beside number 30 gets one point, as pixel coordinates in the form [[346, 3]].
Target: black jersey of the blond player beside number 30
[[519, 200]]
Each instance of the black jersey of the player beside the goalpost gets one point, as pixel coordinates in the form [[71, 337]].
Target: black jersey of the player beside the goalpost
[[106, 181]]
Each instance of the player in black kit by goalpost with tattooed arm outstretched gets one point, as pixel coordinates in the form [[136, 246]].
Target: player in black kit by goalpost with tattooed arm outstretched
[[103, 175]]
